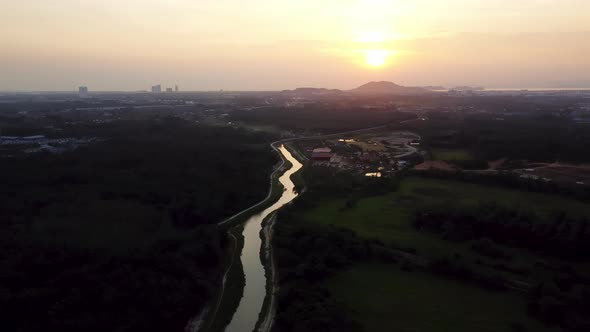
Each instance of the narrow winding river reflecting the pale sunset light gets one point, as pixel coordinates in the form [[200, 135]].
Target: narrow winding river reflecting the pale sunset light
[[246, 316]]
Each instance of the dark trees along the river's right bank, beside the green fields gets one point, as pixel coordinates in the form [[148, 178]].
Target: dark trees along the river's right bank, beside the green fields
[[306, 257]]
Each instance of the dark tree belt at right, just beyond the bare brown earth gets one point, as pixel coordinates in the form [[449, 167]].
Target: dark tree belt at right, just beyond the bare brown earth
[[531, 136]]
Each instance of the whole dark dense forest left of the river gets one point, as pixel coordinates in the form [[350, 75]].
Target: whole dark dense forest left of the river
[[120, 235]]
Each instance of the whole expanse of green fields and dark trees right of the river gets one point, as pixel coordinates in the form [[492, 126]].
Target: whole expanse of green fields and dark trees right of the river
[[425, 241]]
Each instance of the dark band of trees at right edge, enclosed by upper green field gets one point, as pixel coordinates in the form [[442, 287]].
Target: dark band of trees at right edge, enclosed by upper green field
[[560, 235]]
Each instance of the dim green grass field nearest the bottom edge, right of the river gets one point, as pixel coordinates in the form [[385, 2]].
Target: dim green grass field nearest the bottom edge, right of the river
[[384, 298]]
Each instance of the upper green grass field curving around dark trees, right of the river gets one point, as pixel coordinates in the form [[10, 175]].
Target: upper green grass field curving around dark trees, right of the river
[[388, 217]]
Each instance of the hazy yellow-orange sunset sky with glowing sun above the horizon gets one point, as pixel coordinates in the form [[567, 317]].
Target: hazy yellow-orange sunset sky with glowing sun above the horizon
[[58, 45]]
